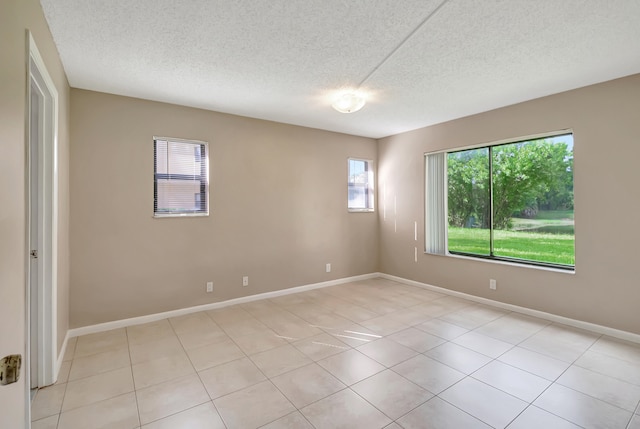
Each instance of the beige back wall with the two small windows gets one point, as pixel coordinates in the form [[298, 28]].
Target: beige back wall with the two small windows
[[278, 210]]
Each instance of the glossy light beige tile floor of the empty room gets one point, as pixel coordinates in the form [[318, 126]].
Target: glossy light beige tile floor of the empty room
[[369, 354]]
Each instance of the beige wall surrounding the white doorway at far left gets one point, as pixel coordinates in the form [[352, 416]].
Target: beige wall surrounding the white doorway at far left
[[16, 16]]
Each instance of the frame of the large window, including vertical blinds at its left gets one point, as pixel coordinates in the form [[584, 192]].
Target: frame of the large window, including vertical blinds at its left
[[445, 209]]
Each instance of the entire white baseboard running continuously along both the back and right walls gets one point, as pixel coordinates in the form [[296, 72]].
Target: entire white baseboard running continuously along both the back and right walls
[[616, 333]]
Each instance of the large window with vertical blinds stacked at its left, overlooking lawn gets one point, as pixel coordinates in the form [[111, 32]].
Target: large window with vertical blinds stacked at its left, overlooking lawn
[[509, 201]]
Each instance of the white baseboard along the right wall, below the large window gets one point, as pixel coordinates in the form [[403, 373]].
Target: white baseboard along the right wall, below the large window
[[599, 329]]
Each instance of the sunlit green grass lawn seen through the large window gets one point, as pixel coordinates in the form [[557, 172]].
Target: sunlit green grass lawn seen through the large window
[[551, 248]]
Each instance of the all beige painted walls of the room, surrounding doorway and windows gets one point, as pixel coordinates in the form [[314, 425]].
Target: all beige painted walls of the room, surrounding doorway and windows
[[278, 205]]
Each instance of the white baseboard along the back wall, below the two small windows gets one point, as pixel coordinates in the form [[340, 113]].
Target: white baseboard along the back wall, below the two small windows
[[101, 327]]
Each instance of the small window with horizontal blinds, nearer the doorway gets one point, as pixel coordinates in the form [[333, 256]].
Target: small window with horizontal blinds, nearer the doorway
[[181, 178]]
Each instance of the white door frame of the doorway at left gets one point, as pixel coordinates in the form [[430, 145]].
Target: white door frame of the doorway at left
[[38, 75]]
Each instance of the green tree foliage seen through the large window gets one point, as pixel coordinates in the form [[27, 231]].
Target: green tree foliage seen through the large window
[[531, 175]]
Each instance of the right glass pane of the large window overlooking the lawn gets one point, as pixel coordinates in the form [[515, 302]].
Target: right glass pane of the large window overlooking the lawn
[[533, 200]]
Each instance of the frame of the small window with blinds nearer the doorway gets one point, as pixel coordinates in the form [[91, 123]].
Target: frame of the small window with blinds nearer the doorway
[[203, 178]]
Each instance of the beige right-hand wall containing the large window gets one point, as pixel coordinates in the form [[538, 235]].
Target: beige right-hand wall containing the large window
[[604, 289]]
